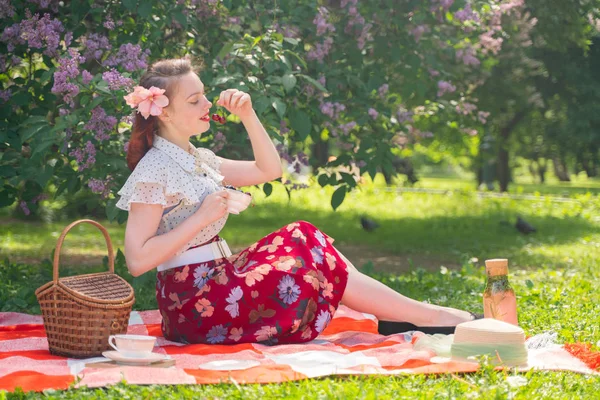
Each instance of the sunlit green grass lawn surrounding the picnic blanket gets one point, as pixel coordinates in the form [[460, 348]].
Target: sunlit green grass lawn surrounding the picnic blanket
[[439, 243]]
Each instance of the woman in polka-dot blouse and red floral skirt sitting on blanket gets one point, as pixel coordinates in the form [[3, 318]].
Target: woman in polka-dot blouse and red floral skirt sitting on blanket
[[283, 289]]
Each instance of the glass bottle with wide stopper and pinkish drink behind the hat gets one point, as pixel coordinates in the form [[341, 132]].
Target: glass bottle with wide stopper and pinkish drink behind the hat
[[499, 300]]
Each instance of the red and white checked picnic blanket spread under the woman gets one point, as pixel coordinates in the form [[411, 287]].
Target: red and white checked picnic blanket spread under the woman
[[349, 346]]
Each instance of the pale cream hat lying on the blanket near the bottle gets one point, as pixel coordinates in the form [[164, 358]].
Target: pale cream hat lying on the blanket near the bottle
[[503, 342]]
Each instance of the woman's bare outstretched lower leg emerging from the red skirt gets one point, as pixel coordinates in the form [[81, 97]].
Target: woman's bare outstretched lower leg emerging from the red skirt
[[368, 295]]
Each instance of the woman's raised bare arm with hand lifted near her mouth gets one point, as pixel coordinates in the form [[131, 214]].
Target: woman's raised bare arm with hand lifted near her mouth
[[267, 164]]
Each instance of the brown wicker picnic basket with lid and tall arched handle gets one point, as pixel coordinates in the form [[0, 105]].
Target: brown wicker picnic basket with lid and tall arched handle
[[81, 312]]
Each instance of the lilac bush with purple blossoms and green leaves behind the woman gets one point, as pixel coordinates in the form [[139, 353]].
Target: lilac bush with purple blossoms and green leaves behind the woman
[[360, 76]]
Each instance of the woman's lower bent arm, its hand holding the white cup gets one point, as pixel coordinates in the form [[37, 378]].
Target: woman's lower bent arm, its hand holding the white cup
[[144, 250]]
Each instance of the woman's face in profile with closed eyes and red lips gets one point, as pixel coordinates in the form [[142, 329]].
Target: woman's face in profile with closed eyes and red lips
[[188, 107]]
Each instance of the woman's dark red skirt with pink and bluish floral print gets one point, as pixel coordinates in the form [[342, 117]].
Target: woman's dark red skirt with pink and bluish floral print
[[283, 289]]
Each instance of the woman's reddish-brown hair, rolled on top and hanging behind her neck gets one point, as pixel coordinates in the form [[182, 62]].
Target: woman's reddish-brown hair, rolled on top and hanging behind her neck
[[162, 74]]
